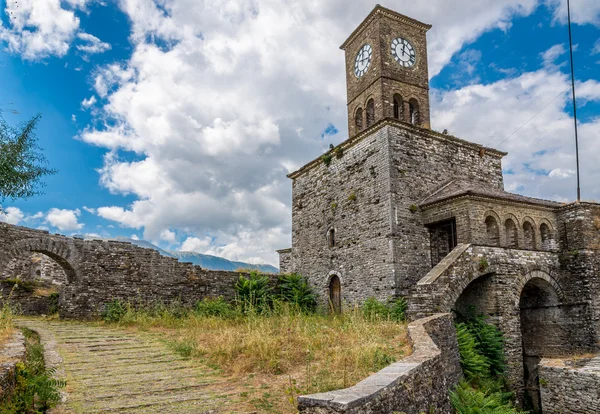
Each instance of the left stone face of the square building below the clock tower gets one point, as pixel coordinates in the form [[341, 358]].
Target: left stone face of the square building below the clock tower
[[349, 196]]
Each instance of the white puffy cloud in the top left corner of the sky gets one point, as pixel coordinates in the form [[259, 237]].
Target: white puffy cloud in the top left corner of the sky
[[40, 28]]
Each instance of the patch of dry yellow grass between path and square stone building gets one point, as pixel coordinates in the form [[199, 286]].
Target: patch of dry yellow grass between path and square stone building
[[270, 358]]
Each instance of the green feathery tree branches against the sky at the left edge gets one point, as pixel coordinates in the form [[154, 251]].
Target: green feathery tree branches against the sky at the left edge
[[22, 164]]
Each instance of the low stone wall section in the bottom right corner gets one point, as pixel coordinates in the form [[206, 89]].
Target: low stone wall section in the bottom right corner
[[569, 388]]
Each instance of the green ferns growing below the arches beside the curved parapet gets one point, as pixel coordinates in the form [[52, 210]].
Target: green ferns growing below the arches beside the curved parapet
[[481, 349]]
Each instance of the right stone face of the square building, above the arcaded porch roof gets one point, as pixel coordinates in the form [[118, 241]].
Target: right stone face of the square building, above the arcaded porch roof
[[421, 162]]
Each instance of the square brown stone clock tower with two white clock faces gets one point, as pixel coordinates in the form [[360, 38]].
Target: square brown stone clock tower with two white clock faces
[[386, 71]]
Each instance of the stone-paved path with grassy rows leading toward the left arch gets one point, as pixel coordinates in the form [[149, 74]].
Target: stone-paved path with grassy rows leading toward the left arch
[[112, 370]]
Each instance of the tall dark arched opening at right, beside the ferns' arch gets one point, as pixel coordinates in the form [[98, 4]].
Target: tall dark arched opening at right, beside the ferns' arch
[[541, 334]]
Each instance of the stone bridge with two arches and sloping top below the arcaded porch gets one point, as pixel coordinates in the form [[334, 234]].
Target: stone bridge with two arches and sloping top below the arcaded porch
[[542, 304]]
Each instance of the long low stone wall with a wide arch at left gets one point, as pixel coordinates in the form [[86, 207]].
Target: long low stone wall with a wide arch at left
[[98, 272]]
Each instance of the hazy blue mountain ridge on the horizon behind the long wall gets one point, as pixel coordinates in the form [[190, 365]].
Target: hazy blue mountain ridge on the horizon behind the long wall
[[204, 260]]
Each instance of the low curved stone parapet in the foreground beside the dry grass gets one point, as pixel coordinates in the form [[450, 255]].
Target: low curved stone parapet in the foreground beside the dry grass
[[418, 383]]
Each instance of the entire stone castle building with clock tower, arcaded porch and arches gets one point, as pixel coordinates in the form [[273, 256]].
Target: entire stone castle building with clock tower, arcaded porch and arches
[[400, 210]]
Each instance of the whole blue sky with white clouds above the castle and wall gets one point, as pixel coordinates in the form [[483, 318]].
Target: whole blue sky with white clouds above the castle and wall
[[177, 120]]
